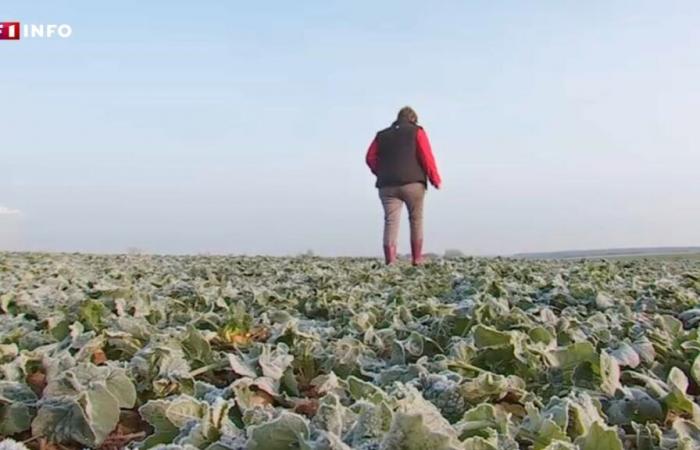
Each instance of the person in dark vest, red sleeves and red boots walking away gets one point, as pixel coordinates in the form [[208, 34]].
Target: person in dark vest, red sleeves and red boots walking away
[[402, 160]]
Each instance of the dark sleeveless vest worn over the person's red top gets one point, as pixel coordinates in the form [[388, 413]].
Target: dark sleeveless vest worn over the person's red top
[[396, 156]]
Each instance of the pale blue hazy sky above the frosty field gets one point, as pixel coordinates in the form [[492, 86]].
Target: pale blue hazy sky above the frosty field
[[241, 127]]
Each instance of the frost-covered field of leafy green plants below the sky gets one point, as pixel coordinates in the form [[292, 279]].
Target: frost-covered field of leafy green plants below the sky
[[229, 353]]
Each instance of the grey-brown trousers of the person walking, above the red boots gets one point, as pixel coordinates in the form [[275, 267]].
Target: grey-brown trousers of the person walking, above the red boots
[[393, 198]]
